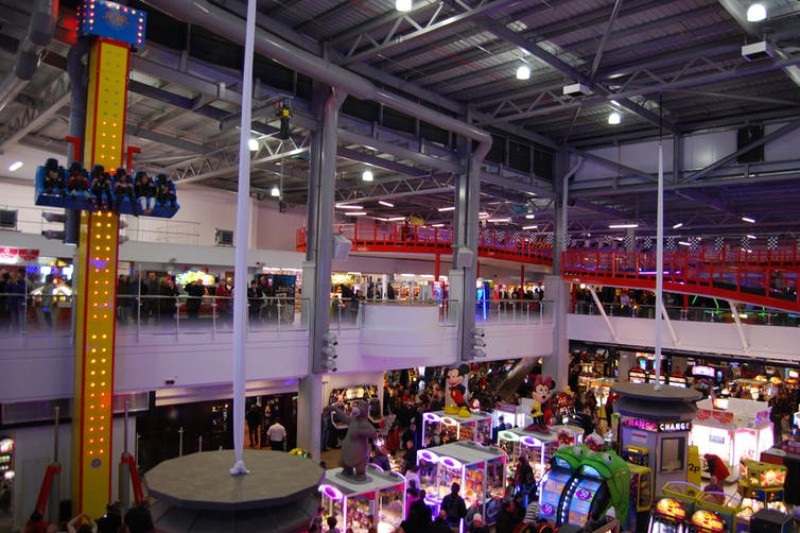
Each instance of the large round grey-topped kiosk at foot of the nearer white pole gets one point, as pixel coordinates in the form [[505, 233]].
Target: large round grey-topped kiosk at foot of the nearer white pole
[[197, 493]]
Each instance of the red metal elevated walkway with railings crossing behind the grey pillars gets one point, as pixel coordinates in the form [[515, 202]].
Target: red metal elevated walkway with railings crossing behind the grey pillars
[[758, 275]]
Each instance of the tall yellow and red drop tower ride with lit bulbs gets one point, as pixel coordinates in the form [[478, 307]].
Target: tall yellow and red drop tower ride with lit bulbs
[[111, 30]]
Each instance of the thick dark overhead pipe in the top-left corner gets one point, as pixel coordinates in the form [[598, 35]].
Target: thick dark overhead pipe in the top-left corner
[[40, 32]]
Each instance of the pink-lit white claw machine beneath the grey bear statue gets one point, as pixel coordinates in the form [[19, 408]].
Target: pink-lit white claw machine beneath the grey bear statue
[[379, 502]]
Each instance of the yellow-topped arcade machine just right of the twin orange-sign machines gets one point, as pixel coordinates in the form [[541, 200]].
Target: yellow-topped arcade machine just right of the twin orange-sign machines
[[761, 487]]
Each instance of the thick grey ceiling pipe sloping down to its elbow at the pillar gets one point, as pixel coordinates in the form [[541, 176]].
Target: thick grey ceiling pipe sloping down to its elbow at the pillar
[[229, 26]]
